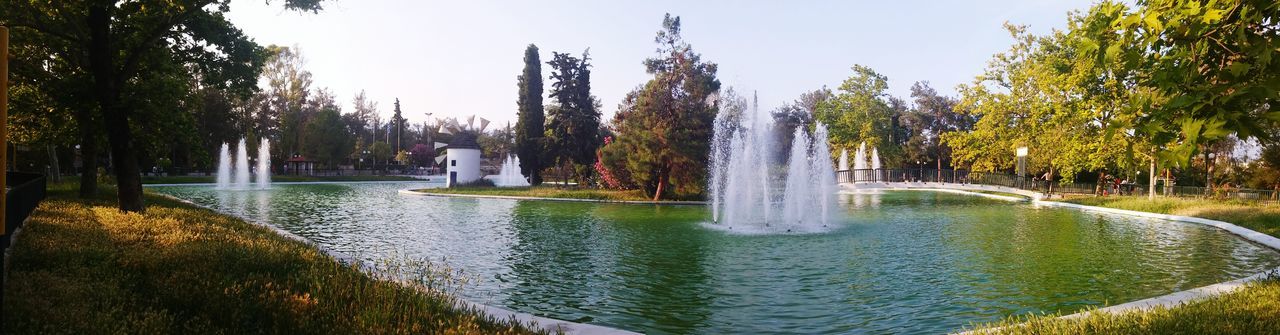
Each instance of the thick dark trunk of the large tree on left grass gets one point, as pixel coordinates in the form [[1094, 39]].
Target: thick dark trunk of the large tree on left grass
[[107, 88]]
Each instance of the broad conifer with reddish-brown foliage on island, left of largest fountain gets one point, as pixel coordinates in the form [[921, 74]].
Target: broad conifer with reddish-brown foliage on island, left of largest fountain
[[665, 127]]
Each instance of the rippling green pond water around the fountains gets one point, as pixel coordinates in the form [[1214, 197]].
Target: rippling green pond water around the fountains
[[904, 263]]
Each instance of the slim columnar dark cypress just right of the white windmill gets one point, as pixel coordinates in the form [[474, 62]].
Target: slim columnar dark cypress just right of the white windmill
[[531, 118]]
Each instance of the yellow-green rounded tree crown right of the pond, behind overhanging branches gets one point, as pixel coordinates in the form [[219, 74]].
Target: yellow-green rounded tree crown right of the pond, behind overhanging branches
[[1052, 94]]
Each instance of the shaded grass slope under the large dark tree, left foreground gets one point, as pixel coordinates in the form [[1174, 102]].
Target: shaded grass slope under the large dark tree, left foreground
[[81, 267]]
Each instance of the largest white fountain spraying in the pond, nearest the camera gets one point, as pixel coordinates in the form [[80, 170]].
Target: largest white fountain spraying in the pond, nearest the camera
[[742, 177]]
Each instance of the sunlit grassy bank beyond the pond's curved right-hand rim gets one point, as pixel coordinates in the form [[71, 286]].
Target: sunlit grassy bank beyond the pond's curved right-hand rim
[[1261, 218]]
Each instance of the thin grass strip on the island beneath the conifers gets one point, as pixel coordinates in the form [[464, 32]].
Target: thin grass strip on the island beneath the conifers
[[545, 192]]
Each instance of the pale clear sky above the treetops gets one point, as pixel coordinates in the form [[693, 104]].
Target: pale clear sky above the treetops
[[461, 58]]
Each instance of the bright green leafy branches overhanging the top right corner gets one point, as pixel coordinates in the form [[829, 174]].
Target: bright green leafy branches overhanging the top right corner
[[1213, 66]]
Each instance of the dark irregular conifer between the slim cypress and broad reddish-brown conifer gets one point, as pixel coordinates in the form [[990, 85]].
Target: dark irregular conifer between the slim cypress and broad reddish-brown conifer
[[573, 134]]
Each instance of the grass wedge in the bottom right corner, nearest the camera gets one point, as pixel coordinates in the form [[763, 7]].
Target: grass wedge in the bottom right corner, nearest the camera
[[1254, 310]]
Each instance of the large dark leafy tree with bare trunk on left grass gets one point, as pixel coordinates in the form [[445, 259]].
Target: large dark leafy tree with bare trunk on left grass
[[116, 43]]
